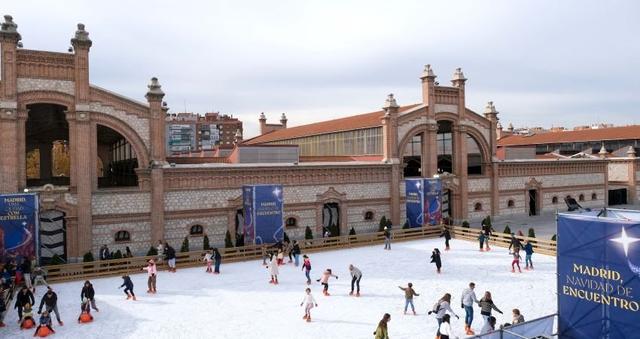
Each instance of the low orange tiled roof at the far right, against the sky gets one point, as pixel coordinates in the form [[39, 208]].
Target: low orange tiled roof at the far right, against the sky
[[600, 134]]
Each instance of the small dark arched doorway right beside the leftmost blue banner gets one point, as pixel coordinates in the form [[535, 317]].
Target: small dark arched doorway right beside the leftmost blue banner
[[53, 231]]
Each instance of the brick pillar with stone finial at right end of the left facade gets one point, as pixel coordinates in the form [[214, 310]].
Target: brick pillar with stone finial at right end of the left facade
[[157, 133]]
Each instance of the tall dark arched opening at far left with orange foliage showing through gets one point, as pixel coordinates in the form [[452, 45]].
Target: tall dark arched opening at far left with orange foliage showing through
[[47, 145]]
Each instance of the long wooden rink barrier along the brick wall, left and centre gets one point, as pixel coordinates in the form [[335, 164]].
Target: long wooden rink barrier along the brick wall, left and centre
[[117, 267]]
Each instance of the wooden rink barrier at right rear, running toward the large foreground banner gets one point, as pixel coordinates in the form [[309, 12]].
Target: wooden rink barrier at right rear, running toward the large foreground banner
[[500, 239]]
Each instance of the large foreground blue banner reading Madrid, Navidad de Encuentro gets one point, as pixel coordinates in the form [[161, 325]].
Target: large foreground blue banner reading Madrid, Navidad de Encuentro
[[598, 277]]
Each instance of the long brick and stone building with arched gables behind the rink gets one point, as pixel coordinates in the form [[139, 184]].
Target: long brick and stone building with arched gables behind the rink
[[120, 190]]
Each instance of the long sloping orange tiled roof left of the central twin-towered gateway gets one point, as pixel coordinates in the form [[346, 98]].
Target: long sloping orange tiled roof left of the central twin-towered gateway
[[366, 120]]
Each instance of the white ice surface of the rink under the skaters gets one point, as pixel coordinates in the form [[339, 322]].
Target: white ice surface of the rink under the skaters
[[239, 303]]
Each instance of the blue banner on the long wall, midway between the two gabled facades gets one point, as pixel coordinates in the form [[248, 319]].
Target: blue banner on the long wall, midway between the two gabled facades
[[263, 214]]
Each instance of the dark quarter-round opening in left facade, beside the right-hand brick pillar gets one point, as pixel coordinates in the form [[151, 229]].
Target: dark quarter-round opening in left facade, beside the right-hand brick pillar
[[118, 159]]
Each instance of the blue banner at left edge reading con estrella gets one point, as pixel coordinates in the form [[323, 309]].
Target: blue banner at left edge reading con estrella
[[18, 225]]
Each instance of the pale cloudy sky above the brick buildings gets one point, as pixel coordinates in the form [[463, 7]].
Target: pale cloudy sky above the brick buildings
[[543, 63]]
